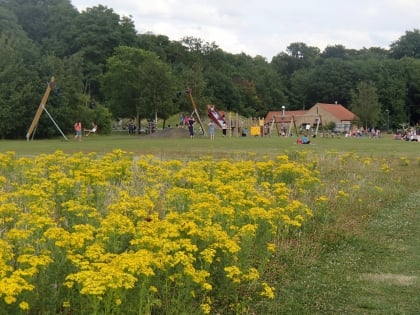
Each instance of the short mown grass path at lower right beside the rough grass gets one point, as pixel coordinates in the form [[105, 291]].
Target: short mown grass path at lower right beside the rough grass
[[374, 271]]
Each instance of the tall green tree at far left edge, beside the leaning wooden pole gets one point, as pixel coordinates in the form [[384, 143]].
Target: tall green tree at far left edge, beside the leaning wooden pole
[[19, 75]]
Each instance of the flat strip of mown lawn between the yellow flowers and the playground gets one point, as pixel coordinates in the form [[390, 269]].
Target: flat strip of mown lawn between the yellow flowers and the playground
[[185, 147]]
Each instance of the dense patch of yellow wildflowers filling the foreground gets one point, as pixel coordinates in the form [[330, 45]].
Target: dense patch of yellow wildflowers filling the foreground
[[110, 234]]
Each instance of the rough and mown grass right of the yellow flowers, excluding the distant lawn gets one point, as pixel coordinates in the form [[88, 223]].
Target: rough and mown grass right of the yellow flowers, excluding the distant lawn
[[360, 254]]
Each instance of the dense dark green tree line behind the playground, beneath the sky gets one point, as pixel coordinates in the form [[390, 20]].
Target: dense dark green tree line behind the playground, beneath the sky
[[105, 69]]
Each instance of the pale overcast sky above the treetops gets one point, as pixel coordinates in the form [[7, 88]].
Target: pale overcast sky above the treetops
[[267, 27]]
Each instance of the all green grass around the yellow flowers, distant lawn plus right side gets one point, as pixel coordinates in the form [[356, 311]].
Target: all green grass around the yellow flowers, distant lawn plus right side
[[360, 253]]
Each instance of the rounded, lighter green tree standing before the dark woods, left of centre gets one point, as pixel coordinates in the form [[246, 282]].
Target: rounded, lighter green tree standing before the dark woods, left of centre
[[138, 84]]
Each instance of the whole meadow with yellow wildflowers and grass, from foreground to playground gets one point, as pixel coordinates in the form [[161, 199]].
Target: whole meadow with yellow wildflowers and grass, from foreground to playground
[[126, 224]]
